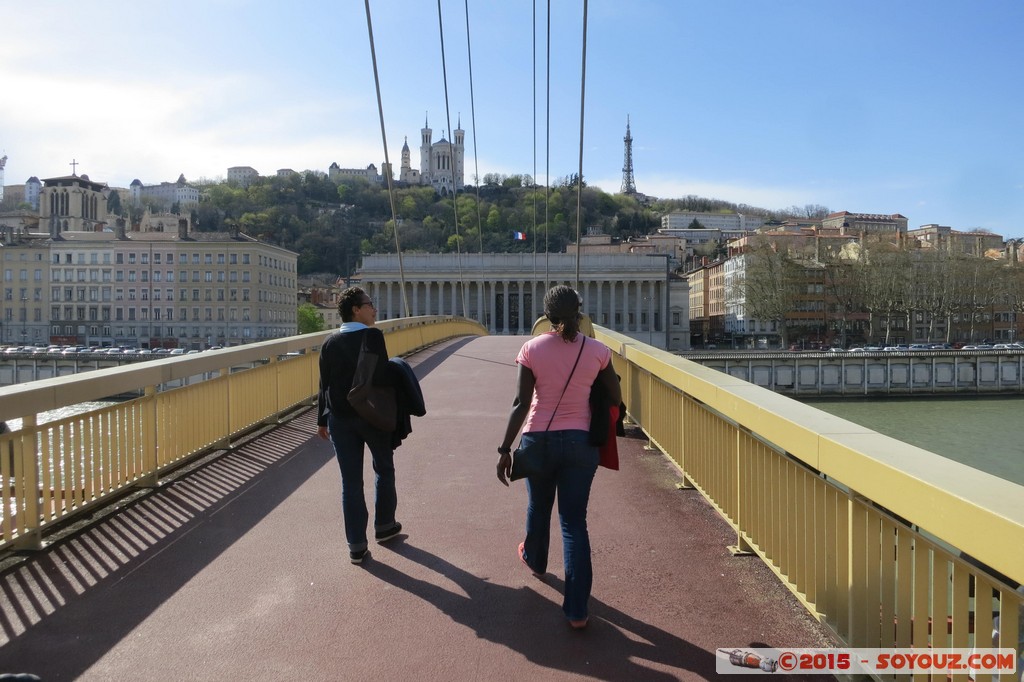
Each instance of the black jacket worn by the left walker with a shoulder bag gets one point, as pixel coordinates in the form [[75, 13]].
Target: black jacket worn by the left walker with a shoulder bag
[[337, 367]]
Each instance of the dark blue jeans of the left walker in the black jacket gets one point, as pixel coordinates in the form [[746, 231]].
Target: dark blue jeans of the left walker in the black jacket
[[350, 435]]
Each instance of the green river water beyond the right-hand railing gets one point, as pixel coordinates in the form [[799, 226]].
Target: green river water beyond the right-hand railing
[[984, 433]]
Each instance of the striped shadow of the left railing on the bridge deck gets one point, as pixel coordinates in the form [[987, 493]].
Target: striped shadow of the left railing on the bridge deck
[[175, 525]]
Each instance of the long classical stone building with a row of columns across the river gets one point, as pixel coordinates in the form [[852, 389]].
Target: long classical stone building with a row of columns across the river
[[627, 293]]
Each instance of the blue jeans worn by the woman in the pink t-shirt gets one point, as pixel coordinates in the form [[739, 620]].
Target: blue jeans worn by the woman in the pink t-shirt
[[571, 467]]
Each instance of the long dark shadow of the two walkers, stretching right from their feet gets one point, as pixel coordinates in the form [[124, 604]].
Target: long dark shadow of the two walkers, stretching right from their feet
[[615, 646]]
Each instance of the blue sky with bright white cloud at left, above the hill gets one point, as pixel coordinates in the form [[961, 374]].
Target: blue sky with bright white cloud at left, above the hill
[[912, 107]]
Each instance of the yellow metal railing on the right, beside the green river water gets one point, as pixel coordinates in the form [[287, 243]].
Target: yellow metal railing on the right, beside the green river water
[[888, 545]]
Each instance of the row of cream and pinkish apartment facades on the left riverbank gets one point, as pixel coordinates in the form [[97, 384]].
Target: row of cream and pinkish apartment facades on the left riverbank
[[174, 289]]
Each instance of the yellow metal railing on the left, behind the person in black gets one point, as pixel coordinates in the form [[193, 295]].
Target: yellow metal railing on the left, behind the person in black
[[188, 406]]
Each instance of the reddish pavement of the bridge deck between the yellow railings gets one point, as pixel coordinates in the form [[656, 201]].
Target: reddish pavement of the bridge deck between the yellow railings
[[239, 571]]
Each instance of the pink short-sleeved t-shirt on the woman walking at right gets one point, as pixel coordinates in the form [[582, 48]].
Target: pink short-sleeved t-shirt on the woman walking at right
[[551, 360]]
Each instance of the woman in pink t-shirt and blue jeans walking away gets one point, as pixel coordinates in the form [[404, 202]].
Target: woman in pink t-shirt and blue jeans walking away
[[552, 406]]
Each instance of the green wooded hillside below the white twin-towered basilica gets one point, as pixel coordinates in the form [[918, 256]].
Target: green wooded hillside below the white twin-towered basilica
[[332, 226]]
